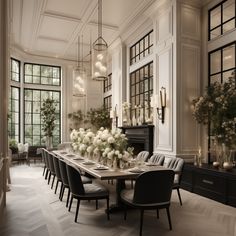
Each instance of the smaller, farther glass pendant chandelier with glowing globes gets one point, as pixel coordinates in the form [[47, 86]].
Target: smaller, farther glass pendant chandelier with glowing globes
[[79, 75]]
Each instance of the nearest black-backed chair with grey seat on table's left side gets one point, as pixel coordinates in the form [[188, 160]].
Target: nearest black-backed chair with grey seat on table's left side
[[82, 191]]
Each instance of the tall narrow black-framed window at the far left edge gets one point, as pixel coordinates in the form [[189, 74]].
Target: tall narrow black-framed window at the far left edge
[[14, 114]]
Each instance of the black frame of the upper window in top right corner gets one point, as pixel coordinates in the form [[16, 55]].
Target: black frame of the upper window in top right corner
[[222, 23]]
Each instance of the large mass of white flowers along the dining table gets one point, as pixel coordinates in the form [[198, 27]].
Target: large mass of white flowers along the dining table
[[110, 146]]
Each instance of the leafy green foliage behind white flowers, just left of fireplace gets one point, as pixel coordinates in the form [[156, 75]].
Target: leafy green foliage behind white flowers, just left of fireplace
[[99, 117]]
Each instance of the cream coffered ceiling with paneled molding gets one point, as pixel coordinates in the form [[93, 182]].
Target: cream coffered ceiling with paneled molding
[[51, 27]]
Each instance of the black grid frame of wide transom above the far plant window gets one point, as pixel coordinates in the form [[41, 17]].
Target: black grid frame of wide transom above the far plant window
[[40, 76]]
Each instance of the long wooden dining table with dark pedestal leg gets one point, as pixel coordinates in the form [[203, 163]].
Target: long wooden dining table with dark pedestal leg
[[102, 172]]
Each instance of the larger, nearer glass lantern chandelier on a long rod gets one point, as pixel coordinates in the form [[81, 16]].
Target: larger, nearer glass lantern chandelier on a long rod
[[99, 51]]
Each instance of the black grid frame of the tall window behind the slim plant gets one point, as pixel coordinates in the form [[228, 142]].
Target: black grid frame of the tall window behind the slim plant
[[41, 101]]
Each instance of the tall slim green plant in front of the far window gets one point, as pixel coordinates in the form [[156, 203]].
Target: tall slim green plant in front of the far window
[[48, 110]]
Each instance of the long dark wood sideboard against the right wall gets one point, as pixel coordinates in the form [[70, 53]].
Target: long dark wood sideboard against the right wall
[[210, 182]]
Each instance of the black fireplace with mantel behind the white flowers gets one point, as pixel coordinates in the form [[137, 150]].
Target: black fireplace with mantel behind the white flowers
[[140, 137]]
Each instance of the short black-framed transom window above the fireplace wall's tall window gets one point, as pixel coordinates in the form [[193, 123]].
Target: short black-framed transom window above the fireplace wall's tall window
[[142, 48]]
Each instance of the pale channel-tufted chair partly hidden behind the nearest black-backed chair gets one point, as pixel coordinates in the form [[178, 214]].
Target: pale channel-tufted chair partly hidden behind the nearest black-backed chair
[[176, 164]]
